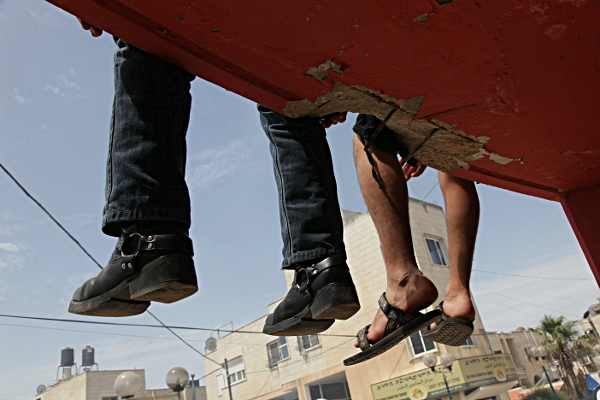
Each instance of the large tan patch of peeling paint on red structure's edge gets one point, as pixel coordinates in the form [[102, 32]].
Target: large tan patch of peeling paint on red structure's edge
[[448, 148]]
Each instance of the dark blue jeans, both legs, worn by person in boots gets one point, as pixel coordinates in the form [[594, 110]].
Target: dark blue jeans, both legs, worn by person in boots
[[147, 155]]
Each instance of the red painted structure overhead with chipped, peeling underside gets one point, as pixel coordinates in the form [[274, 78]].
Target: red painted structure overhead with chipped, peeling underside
[[500, 92]]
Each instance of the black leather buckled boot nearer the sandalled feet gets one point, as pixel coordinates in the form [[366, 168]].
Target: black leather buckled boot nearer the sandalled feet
[[320, 294]]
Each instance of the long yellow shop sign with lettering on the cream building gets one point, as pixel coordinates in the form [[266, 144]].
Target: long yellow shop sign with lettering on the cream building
[[466, 373]]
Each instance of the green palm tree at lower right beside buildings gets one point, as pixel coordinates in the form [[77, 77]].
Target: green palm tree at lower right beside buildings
[[557, 337]]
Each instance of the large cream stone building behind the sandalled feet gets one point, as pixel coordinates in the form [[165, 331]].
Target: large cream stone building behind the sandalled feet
[[264, 367]]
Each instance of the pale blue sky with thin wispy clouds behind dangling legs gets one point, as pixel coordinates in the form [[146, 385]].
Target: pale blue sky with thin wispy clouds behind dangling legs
[[55, 99]]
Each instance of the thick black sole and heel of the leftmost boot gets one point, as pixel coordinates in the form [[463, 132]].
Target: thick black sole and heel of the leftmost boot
[[167, 279]]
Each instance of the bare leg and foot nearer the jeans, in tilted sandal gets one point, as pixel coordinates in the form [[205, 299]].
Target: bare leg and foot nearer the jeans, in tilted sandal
[[407, 287]]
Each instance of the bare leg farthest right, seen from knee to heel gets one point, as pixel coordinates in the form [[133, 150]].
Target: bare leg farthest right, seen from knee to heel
[[462, 216]]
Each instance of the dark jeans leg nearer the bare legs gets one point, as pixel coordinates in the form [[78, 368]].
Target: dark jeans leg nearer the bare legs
[[311, 222]]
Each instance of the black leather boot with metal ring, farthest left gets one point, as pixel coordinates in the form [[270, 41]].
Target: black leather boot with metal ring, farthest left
[[143, 268]]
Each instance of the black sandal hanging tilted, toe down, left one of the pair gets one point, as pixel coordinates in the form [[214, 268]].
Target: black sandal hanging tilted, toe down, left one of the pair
[[400, 326]]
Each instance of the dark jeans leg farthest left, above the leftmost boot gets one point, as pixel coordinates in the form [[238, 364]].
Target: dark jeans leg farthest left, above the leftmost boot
[[145, 178]]
